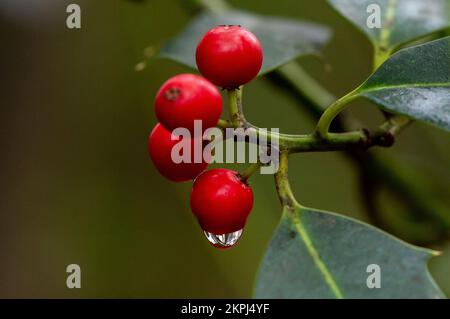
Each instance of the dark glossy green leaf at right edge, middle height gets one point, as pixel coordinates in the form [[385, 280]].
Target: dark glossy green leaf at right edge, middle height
[[414, 82]]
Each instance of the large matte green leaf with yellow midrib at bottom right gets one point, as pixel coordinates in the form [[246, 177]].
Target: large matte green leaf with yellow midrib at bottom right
[[316, 254]]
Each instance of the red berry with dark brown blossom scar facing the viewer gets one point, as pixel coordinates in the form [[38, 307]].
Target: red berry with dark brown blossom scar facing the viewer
[[185, 98]]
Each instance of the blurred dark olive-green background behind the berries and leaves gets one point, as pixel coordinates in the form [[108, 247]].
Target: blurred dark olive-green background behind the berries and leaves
[[77, 185]]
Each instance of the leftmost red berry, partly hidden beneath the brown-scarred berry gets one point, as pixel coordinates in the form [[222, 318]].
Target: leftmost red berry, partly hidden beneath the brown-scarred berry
[[160, 148]]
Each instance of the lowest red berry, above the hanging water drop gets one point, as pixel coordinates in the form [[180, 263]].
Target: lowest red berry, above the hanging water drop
[[221, 201]]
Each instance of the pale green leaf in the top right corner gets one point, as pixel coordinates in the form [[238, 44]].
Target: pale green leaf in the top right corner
[[402, 21]]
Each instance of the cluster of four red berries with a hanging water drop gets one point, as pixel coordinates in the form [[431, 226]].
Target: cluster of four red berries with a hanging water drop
[[227, 56]]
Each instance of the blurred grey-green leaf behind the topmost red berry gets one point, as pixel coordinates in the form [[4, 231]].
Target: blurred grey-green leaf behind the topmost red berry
[[282, 39]]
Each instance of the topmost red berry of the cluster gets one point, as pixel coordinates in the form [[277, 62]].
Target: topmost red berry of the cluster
[[229, 56]]
